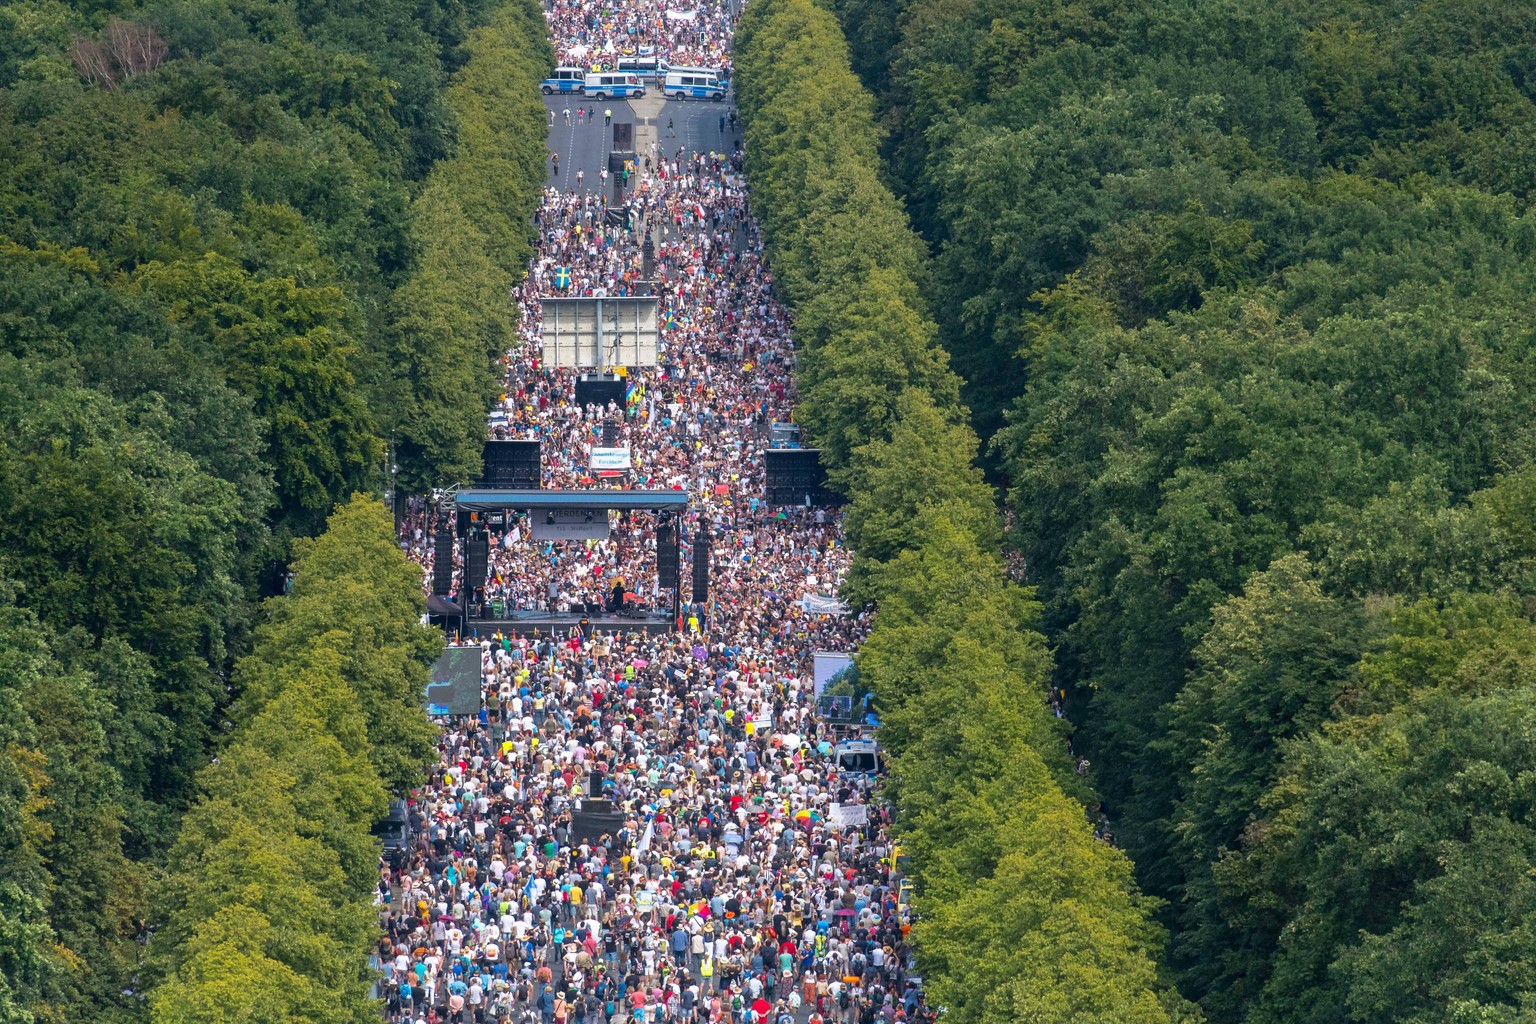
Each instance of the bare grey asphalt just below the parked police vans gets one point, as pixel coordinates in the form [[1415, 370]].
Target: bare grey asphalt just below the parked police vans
[[586, 147]]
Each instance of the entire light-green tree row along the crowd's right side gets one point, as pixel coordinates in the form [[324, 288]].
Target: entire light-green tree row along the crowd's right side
[[1025, 916]]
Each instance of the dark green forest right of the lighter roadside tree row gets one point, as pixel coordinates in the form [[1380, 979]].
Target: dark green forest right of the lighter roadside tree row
[[1243, 299]]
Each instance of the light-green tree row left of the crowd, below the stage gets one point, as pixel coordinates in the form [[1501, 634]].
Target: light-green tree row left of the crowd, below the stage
[[266, 907]]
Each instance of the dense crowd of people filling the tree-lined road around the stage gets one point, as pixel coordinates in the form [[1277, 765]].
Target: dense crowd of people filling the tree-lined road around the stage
[[654, 828]]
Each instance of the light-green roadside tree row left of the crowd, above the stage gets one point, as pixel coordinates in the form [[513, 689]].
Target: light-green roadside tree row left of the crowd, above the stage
[[452, 320]]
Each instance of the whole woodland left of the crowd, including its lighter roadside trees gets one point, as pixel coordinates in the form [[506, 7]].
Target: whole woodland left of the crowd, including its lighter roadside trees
[[234, 283]]
